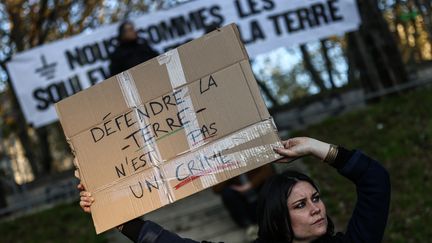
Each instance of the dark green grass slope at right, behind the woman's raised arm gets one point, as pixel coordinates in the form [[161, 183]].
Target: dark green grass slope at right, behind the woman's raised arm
[[397, 131]]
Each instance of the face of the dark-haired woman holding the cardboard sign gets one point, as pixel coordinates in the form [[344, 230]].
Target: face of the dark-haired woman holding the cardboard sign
[[307, 212]]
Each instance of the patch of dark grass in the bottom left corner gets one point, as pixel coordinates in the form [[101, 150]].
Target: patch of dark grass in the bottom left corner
[[64, 223]]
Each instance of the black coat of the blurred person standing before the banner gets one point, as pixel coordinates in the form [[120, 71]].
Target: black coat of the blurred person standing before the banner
[[130, 54]]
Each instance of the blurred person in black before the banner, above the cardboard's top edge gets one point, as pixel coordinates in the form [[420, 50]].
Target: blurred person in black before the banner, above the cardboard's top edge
[[130, 51]]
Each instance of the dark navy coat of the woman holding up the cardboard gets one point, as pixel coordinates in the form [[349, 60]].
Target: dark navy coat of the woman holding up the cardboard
[[367, 222]]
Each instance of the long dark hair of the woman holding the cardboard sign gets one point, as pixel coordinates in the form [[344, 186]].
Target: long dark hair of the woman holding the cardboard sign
[[273, 215]]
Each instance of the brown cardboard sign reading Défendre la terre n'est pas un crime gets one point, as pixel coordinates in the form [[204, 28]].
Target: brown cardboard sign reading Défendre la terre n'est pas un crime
[[168, 128]]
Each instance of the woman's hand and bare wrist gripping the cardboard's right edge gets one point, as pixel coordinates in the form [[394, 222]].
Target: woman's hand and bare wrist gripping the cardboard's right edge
[[301, 146]]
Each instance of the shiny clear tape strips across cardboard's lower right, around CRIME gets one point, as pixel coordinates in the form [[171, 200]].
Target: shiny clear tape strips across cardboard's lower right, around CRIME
[[209, 157]]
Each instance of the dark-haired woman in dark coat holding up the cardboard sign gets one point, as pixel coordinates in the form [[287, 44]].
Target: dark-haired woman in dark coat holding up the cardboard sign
[[290, 208]]
